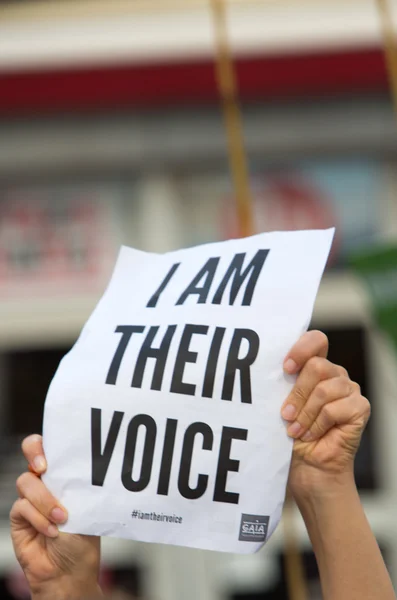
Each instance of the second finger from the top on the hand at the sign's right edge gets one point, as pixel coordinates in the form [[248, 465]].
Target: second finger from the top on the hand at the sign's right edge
[[315, 370]]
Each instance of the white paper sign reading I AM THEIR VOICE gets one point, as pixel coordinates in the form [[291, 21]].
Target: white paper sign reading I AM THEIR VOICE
[[163, 422]]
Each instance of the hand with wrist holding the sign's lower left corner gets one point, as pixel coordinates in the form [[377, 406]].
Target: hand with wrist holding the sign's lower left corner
[[56, 565]]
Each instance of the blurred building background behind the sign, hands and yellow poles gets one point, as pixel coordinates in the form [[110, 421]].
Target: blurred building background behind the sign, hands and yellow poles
[[111, 133]]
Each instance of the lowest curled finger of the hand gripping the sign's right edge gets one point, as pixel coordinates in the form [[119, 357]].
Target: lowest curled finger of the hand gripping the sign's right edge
[[354, 409]]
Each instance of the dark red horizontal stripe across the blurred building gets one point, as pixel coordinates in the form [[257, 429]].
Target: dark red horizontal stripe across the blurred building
[[260, 78]]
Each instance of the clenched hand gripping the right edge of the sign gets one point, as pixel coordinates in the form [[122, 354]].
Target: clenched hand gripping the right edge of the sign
[[326, 415]]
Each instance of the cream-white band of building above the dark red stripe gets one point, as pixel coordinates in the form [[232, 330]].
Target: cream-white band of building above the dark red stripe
[[69, 33]]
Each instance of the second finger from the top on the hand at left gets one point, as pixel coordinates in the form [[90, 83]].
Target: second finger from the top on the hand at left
[[34, 490]]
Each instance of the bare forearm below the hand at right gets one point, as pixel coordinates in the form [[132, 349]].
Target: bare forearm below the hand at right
[[350, 563]]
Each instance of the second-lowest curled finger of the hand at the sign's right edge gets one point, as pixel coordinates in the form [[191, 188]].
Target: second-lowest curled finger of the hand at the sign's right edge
[[325, 392]]
